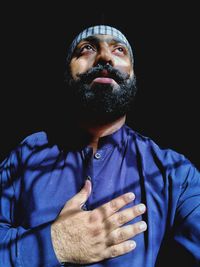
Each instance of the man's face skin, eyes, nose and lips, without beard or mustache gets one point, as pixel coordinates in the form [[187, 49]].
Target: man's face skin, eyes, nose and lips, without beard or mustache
[[97, 49]]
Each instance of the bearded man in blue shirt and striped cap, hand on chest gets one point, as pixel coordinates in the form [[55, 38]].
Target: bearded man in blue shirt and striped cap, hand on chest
[[108, 196]]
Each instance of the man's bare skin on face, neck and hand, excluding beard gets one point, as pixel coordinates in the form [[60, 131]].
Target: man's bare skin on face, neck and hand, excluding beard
[[101, 233]]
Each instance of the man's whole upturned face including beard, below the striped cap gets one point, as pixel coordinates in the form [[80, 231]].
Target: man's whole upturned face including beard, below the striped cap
[[101, 78]]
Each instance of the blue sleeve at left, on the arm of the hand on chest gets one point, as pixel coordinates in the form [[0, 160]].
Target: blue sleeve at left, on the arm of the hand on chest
[[20, 247]]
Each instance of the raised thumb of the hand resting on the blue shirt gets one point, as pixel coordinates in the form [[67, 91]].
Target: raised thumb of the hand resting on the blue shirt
[[80, 198]]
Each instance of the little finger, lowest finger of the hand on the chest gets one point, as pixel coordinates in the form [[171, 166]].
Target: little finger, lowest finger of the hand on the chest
[[120, 249]]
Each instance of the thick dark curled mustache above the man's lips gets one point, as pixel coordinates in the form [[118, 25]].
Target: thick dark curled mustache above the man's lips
[[96, 71]]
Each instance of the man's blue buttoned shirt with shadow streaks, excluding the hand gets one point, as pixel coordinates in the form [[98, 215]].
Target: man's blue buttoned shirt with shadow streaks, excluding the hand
[[38, 178]]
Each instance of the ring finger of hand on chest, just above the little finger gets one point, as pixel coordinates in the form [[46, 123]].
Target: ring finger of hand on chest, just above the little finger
[[127, 232]]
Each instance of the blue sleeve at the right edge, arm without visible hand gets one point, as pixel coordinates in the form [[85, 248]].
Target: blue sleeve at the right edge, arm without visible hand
[[187, 220]]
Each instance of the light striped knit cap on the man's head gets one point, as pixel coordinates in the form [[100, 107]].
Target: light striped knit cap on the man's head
[[97, 30]]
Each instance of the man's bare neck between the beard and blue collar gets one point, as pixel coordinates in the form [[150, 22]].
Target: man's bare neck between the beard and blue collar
[[98, 131]]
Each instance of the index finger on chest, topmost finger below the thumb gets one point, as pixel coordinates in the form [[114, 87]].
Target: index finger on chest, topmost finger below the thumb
[[114, 205]]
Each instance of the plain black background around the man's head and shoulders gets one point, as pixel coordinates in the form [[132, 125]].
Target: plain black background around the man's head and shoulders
[[165, 39]]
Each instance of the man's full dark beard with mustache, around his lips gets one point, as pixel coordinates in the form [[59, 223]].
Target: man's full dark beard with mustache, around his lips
[[100, 103]]
